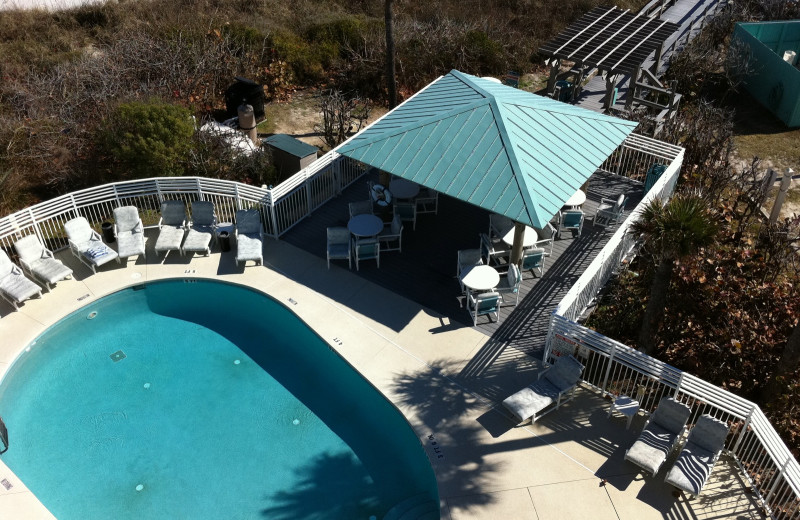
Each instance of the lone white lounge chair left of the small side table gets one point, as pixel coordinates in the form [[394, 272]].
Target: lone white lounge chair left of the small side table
[[551, 387]]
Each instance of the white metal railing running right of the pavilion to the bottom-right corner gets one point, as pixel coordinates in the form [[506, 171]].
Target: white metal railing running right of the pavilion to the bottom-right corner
[[611, 367]]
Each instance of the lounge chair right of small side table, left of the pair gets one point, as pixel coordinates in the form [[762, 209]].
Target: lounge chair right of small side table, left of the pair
[[660, 434]]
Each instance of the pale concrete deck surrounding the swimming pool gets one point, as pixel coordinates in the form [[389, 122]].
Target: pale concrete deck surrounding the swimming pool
[[568, 465]]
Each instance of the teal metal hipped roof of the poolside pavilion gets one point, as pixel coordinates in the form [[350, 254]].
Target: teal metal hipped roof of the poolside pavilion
[[500, 148]]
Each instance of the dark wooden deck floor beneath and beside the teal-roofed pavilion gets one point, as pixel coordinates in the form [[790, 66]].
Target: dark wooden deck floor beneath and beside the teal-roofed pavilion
[[425, 270]]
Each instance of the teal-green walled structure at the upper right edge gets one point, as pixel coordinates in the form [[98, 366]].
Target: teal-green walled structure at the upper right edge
[[774, 78]]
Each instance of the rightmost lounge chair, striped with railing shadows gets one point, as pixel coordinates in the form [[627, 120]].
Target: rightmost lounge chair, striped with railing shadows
[[699, 455]]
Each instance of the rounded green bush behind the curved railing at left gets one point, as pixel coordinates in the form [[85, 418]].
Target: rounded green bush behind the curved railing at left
[[151, 139]]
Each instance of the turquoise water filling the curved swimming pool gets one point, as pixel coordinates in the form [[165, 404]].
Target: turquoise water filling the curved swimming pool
[[225, 405]]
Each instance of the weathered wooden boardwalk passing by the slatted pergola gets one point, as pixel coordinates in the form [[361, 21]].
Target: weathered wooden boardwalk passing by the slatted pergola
[[688, 14]]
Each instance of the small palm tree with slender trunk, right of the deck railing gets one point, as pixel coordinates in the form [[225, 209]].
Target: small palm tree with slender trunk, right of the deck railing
[[670, 232]]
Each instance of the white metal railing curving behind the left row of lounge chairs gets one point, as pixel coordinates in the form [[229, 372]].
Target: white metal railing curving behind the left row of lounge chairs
[[281, 207]]
